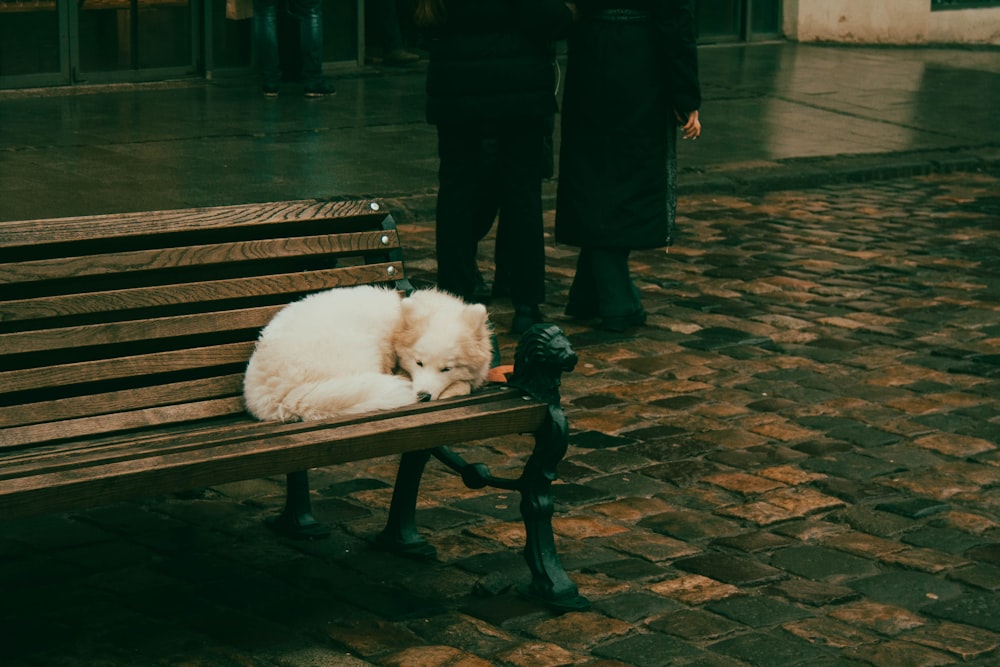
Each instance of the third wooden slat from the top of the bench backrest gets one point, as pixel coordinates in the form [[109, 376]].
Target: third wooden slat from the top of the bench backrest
[[196, 292]]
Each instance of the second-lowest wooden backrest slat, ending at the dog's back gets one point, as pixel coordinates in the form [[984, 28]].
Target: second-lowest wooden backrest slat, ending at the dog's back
[[119, 401]]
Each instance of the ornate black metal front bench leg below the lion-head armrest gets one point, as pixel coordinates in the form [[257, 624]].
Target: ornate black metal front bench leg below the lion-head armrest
[[549, 583]]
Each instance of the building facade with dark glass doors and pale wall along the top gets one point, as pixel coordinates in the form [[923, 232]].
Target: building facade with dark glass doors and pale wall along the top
[[80, 42]]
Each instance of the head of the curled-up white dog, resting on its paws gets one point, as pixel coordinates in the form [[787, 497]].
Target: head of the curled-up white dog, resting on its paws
[[443, 344]]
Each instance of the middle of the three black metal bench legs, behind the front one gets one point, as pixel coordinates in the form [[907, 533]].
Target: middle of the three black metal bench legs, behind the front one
[[400, 534]]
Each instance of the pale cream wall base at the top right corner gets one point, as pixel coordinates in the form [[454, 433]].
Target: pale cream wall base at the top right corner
[[888, 22]]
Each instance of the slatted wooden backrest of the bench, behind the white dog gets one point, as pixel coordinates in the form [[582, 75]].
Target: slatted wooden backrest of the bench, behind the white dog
[[116, 322]]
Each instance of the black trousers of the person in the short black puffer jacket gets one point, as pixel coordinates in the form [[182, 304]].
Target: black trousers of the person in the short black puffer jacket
[[486, 169]]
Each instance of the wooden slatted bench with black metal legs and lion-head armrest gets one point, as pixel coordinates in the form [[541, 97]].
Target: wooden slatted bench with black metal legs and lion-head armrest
[[123, 340]]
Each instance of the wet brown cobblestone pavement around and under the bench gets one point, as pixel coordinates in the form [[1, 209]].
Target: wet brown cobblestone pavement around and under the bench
[[794, 463]]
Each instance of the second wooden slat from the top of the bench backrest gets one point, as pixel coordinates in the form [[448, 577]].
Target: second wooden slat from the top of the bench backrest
[[199, 255]]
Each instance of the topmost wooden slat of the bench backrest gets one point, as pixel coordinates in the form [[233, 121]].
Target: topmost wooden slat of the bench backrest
[[20, 233]]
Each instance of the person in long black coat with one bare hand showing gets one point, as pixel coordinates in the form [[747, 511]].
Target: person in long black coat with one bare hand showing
[[631, 80]]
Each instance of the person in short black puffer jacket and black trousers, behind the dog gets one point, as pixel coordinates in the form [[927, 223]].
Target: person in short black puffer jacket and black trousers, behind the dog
[[491, 93]]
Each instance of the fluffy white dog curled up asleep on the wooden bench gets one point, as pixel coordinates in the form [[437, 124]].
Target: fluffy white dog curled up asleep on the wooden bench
[[356, 349]]
